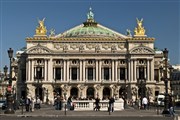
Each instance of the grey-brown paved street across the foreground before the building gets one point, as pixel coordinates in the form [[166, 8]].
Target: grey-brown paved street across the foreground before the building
[[48, 111]]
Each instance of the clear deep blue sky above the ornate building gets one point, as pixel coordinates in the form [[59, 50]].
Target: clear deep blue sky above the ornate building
[[19, 18]]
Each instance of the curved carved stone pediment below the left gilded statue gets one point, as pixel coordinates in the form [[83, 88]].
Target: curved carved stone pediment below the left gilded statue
[[38, 50]]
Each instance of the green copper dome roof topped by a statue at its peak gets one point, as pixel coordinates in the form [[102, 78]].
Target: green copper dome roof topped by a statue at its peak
[[91, 28]]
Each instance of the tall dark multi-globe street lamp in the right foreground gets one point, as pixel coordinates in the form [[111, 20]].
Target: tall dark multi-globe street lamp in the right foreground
[[165, 78]]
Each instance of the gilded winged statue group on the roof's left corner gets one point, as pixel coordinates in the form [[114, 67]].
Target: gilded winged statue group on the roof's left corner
[[41, 29]]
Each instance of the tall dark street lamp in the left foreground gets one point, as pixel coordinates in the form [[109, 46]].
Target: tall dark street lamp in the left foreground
[[9, 97]]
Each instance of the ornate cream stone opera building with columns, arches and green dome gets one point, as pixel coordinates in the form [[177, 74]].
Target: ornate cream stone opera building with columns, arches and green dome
[[89, 60]]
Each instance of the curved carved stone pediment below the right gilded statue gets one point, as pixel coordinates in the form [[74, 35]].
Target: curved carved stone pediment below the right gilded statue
[[142, 50]]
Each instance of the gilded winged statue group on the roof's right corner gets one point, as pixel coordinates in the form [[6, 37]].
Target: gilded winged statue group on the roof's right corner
[[139, 30]]
